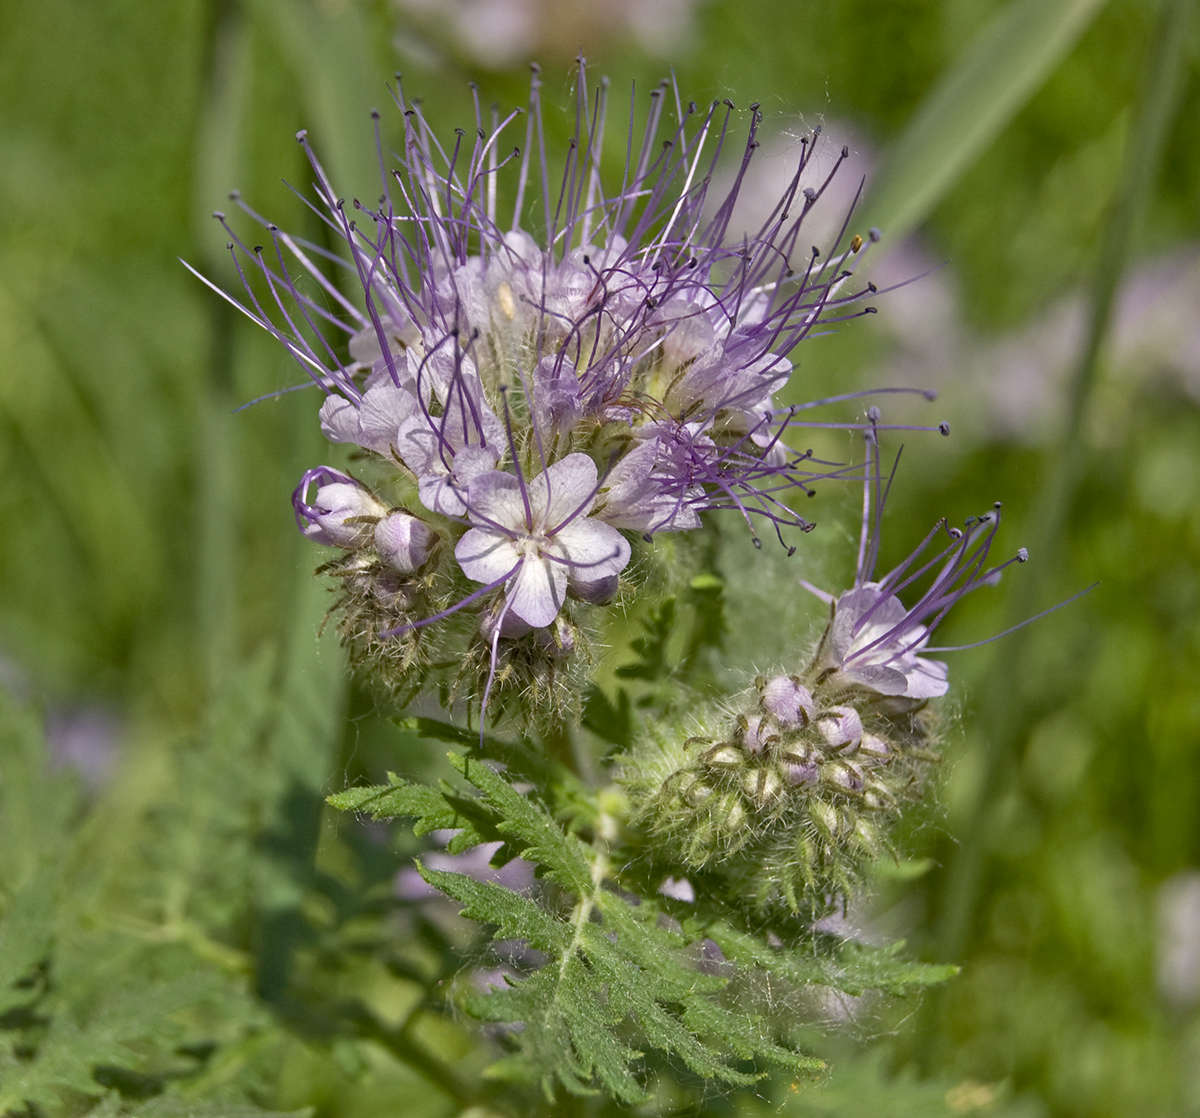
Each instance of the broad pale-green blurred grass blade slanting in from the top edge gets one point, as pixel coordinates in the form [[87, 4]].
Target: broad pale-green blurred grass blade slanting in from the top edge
[[1005, 65]]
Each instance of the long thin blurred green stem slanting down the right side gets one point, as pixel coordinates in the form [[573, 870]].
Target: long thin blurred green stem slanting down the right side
[[1001, 717]]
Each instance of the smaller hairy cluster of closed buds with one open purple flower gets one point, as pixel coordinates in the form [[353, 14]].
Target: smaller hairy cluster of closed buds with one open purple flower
[[796, 794]]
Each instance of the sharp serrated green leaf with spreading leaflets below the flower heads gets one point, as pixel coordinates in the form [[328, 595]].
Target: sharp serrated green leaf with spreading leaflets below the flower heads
[[619, 977]]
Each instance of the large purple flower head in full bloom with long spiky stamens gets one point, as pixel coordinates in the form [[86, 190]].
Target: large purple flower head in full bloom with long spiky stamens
[[526, 406]]
